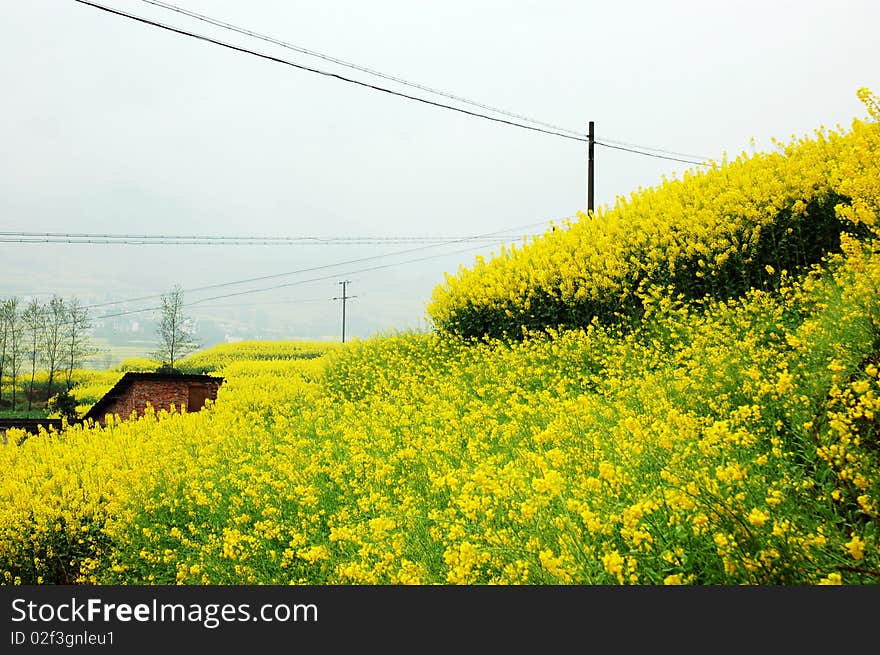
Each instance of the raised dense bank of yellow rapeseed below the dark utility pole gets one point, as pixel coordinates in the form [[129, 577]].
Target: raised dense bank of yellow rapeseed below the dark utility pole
[[739, 225]]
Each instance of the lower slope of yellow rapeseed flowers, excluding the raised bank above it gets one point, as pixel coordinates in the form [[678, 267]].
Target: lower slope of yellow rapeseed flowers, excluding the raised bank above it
[[704, 448]]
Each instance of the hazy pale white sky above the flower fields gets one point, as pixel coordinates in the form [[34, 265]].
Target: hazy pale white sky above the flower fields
[[113, 126]]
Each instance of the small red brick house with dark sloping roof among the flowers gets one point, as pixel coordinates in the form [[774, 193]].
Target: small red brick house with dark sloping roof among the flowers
[[134, 391]]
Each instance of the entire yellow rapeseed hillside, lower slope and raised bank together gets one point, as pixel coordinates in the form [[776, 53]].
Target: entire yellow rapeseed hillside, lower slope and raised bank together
[[727, 436]]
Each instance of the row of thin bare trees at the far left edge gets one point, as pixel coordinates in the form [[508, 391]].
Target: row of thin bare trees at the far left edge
[[51, 336]]
